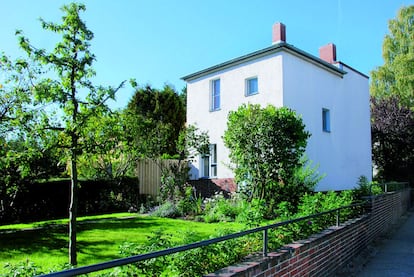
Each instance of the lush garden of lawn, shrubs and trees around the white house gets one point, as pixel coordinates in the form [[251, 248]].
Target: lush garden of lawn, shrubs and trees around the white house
[[66, 154]]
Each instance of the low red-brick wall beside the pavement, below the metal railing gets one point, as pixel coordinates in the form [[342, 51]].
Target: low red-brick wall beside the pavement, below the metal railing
[[324, 253]]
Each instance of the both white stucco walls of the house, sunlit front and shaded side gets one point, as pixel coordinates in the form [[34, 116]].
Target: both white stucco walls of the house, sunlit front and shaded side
[[344, 154]]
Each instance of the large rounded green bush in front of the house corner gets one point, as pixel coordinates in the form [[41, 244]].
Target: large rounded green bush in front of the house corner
[[266, 146]]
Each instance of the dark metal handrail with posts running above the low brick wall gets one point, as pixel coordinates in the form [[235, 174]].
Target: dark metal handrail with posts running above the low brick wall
[[161, 253]]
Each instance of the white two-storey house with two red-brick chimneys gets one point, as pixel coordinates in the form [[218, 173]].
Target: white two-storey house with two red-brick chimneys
[[331, 97]]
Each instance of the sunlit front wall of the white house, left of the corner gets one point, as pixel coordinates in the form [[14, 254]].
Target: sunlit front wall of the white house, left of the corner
[[268, 70]]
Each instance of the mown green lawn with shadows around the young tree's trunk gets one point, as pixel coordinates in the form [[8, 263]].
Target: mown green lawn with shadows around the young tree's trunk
[[99, 237]]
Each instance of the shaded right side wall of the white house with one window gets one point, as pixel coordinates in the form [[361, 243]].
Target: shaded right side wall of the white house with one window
[[344, 153]]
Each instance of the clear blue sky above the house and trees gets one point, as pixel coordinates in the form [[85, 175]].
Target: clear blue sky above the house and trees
[[160, 41]]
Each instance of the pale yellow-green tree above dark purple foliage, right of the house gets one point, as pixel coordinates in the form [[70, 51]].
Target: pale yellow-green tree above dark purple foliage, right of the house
[[396, 76]]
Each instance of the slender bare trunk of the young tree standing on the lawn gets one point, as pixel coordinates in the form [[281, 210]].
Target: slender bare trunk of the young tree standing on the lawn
[[73, 207]]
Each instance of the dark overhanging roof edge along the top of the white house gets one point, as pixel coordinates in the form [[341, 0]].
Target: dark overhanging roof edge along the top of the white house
[[282, 46]]
